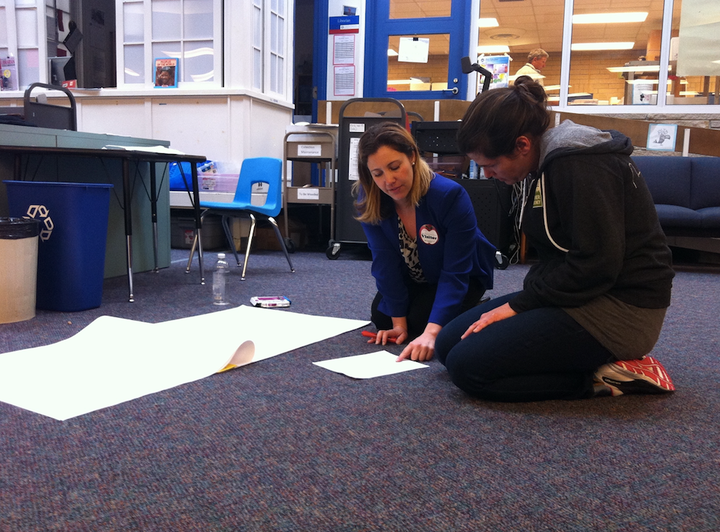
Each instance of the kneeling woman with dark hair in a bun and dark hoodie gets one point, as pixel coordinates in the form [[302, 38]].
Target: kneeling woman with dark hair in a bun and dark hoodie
[[592, 308]]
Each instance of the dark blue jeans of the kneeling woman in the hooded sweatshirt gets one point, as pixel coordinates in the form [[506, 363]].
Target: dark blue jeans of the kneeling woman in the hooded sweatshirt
[[536, 355]]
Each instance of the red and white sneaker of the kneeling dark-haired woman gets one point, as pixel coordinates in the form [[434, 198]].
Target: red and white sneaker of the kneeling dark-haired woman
[[645, 375]]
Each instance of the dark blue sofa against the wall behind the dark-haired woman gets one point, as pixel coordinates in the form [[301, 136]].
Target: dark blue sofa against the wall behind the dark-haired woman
[[686, 192]]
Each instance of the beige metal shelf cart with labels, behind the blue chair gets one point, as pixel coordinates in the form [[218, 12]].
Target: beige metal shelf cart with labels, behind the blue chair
[[315, 144]]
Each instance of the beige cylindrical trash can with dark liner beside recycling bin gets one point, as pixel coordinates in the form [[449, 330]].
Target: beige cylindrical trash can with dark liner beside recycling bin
[[18, 268]]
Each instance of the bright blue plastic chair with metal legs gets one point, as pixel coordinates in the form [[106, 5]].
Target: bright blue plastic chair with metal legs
[[266, 172]]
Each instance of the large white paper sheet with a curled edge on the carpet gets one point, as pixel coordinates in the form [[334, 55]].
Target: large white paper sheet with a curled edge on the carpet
[[114, 360]]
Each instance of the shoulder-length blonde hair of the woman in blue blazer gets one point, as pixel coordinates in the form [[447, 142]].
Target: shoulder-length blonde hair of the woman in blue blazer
[[372, 204]]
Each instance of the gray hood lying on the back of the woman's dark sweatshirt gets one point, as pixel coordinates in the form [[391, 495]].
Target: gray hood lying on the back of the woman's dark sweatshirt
[[571, 138]]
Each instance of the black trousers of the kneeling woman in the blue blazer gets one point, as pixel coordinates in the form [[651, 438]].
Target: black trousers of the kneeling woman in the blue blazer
[[422, 297]]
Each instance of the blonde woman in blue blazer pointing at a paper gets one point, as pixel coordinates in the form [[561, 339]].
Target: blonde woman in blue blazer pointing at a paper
[[430, 260]]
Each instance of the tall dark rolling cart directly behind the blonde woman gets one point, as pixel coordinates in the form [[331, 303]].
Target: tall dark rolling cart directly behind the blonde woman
[[351, 128]]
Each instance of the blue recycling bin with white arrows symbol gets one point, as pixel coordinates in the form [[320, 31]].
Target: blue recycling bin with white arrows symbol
[[73, 237]]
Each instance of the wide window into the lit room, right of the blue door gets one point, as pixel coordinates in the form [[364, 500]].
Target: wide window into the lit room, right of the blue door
[[613, 52]]
